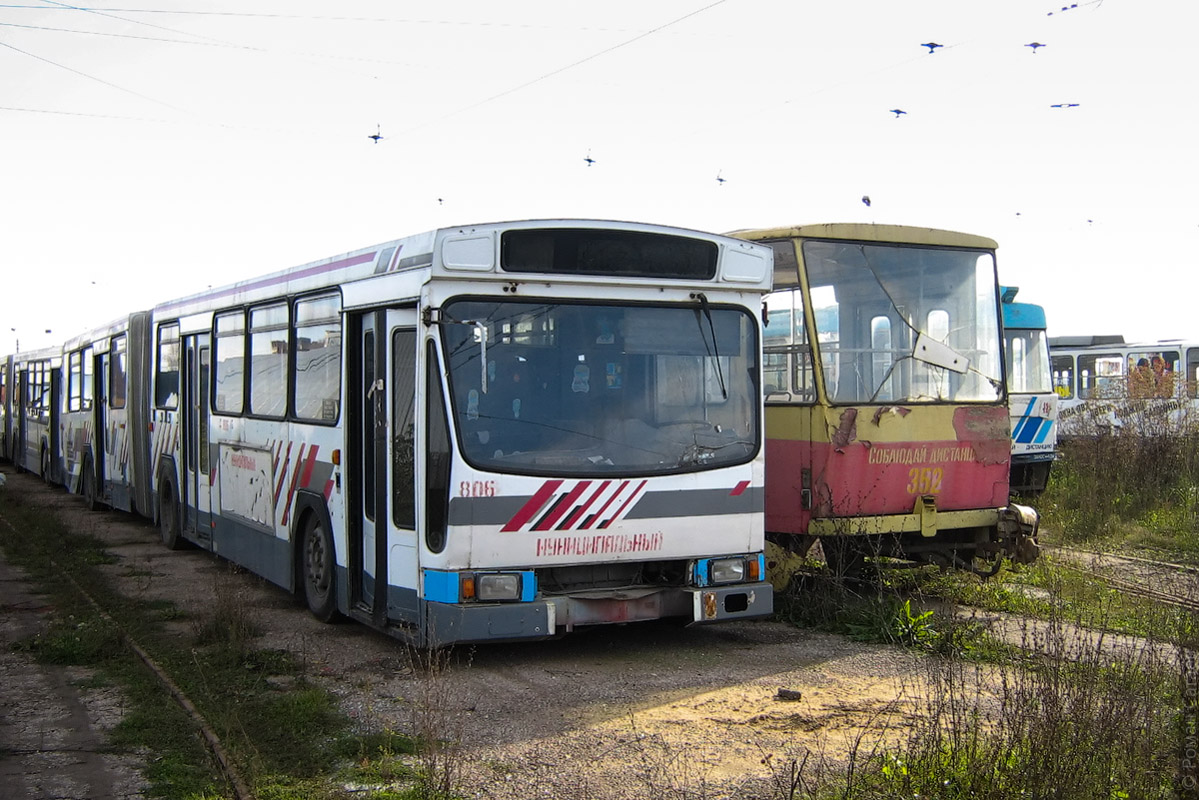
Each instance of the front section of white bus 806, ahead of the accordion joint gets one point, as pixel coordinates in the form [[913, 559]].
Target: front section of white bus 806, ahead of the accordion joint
[[491, 432]]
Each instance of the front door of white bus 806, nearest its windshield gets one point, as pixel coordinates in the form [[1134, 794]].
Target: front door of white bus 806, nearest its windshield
[[383, 525]]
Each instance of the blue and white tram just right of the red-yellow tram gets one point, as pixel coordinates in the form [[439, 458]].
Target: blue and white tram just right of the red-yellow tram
[[1032, 400]]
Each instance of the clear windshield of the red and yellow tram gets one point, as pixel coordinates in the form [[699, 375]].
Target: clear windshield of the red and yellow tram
[[905, 324]]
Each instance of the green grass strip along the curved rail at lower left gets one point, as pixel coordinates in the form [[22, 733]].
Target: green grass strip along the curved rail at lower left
[[288, 738]]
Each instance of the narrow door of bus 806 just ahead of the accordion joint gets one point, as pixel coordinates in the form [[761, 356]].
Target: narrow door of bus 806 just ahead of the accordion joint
[[195, 438]]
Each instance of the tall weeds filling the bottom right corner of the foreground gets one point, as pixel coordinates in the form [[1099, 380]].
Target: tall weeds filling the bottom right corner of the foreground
[[1082, 720]]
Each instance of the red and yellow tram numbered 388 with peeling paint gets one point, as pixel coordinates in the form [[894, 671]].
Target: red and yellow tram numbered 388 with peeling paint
[[887, 416]]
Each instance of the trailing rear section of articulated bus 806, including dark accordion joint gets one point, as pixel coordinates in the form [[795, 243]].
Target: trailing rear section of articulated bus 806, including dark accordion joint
[[105, 416]]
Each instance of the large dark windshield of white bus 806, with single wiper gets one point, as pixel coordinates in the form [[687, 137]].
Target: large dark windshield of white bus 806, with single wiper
[[580, 389]]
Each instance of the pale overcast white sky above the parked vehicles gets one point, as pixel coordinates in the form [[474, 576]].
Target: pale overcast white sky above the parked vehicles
[[152, 148]]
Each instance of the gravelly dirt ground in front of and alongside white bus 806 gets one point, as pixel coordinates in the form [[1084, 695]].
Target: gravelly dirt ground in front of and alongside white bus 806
[[625, 712]]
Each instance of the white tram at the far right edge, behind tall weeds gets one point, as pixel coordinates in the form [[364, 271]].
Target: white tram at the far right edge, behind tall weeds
[[1106, 386]]
